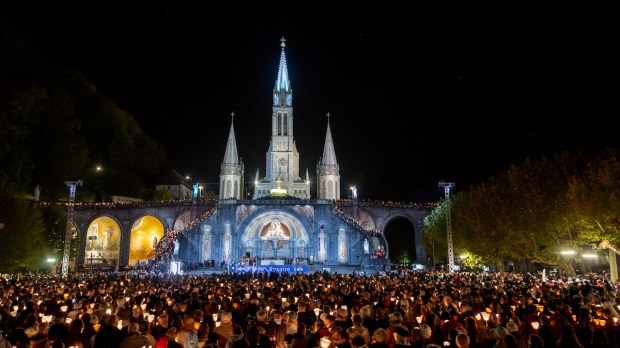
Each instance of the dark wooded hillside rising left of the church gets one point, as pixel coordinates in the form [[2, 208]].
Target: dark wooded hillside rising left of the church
[[55, 126]]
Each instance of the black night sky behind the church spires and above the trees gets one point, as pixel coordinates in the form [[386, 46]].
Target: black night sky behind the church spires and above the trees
[[417, 95]]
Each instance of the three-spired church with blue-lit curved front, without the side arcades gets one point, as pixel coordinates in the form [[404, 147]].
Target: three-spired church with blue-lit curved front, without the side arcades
[[281, 221]]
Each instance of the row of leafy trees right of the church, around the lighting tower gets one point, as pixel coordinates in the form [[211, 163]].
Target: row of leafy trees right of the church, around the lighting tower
[[535, 210]]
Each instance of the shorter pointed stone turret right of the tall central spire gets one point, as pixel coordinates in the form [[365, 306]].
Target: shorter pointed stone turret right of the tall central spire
[[329, 171]]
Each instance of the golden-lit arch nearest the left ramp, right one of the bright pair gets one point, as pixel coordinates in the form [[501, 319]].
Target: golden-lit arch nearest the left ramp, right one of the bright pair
[[145, 232]]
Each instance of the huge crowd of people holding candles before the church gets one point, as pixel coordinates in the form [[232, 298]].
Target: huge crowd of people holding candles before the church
[[393, 309]]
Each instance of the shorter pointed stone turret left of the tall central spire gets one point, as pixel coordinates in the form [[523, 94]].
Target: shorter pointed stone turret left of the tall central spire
[[231, 174]]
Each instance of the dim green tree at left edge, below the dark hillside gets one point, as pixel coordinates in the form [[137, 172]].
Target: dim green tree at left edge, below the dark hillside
[[23, 241]]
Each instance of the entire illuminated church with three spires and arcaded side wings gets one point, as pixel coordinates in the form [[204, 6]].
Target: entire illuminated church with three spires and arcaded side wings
[[280, 223]]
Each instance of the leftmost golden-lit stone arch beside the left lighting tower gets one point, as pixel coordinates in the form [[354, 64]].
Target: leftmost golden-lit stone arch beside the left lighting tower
[[103, 241]]
